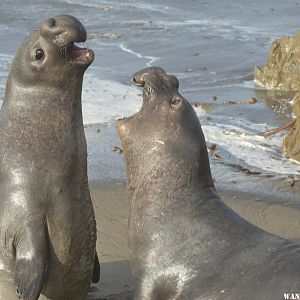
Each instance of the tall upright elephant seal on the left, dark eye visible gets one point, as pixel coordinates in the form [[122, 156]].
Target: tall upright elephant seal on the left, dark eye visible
[[47, 222]]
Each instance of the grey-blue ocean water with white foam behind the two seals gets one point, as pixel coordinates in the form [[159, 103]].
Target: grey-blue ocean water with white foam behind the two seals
[[211, 46]]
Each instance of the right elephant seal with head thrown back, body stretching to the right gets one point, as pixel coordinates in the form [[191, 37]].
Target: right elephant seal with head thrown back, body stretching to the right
[[184, 242]]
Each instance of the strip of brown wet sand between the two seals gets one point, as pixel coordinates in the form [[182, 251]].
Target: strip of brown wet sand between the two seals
[[111, 210]]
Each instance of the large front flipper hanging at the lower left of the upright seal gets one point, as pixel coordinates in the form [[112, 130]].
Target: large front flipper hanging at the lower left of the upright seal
[[32, 256]]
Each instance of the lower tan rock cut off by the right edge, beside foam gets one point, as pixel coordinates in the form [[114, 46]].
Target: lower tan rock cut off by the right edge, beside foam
[[291, 142]]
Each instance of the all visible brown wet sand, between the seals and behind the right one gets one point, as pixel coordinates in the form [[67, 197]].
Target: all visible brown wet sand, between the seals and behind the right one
[[280, 216]]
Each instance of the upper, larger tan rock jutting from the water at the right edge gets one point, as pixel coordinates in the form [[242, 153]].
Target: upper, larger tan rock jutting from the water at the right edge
[[282, 71]]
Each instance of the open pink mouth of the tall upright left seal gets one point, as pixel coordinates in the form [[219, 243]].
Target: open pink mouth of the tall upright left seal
[[77, 54]]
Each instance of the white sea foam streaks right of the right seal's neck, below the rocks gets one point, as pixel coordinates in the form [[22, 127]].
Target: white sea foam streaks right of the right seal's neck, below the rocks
[[246, 146]]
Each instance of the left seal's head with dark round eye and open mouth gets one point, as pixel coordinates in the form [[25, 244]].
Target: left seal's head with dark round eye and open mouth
[[50, 55]]
